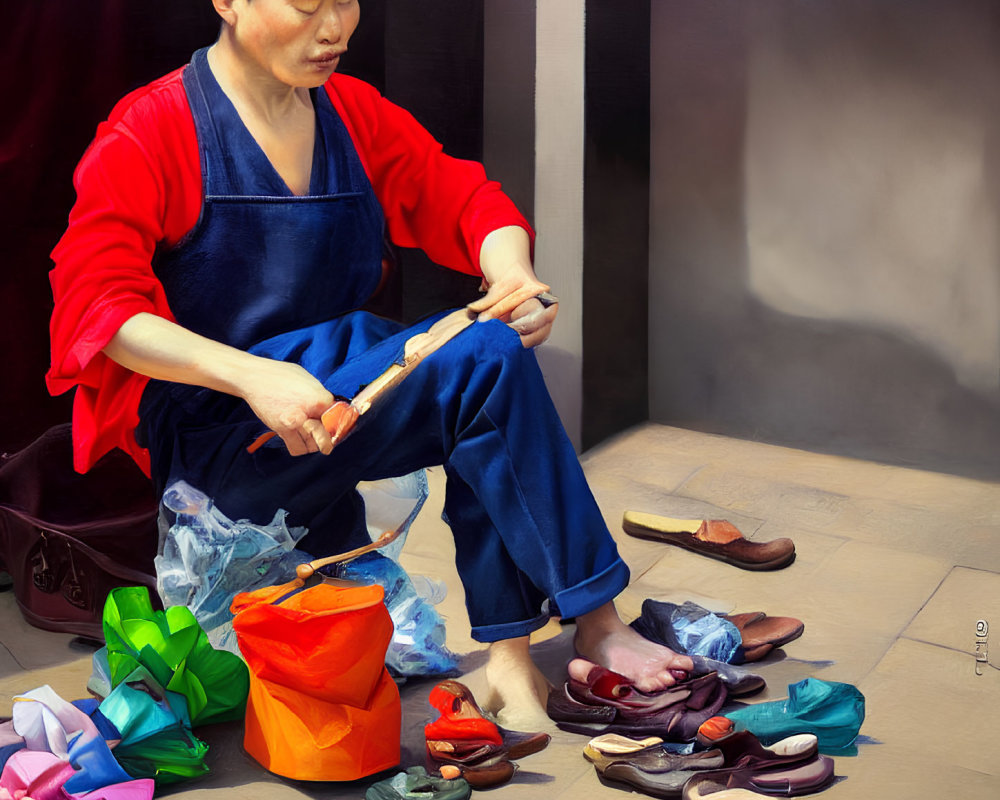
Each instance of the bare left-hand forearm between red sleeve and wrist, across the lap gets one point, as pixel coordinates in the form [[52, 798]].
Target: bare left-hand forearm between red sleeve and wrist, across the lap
[[161, 349]]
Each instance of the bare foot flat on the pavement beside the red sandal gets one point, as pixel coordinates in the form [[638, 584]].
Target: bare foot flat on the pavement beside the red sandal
[[516, 688]]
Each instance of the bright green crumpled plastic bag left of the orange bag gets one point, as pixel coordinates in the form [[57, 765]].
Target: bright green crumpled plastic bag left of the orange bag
[[172, 646]]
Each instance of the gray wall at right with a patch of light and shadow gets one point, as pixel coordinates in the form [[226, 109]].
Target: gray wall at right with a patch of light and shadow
[[825, 188]]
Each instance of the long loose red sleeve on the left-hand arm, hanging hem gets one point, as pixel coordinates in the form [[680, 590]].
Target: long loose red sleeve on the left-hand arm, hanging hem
[[138, 187]]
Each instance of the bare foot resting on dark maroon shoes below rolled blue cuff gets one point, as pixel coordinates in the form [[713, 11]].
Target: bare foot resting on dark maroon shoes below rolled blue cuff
[[603, 638]]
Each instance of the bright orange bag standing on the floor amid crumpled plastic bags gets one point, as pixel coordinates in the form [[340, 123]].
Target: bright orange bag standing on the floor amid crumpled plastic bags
[[322, 706]]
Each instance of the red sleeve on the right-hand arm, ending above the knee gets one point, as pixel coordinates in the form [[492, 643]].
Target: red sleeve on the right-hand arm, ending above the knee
[[445, 206]]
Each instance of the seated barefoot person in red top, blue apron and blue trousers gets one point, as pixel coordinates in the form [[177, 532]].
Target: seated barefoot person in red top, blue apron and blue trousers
[[228, 226]]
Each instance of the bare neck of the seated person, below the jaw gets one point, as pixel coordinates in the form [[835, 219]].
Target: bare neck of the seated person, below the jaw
[[249, 86]]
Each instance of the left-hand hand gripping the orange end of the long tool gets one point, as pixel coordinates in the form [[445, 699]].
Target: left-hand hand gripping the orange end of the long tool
[[290, 402]]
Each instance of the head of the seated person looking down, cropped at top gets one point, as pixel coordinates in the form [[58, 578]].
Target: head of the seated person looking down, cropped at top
[[299, 42]]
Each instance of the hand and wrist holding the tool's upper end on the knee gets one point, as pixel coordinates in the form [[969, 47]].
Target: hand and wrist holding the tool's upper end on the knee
[[513, 288]]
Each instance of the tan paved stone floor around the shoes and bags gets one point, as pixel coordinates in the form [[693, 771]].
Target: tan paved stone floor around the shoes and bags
[[894, 569]]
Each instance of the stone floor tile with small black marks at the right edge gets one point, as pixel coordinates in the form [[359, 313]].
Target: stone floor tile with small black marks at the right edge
[[950, 617]]
